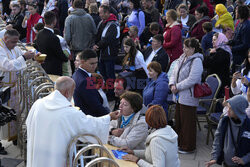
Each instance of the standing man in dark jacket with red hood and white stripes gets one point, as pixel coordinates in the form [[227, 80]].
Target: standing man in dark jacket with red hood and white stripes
[[108, 44]]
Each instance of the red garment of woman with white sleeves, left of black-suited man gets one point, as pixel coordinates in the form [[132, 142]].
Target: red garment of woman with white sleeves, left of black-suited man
[[31, 22]]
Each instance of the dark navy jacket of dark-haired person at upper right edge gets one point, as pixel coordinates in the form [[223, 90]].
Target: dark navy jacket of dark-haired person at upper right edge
[[241, 42]]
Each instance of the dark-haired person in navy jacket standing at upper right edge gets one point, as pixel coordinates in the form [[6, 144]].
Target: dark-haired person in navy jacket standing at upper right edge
[[241, 40]]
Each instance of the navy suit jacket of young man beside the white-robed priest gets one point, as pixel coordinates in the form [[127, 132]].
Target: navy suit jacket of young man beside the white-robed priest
[[86, 96]]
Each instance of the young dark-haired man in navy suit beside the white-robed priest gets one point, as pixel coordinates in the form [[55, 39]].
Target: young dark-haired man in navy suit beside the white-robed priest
[[86, 95]]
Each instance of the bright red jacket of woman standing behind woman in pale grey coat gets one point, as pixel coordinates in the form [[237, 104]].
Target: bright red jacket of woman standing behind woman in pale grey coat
[[173, 41]]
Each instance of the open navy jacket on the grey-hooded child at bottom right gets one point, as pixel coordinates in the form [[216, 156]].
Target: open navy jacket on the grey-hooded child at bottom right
[[242, 149]]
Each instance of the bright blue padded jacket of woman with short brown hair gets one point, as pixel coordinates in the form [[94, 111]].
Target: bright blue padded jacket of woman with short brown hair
[[156, 92]]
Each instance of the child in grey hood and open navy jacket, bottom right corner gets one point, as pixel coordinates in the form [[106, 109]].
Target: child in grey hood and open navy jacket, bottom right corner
[[231, 145]]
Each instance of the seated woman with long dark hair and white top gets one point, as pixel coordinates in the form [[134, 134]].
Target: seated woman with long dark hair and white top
[[134, 59]]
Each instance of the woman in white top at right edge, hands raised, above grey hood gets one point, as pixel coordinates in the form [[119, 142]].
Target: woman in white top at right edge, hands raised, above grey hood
[[241, 78]]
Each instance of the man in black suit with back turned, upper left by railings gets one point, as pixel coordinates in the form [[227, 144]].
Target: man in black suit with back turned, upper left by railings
[[48, 43]]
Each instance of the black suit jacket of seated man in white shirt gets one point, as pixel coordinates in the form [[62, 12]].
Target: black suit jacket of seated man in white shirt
[[161, 57]]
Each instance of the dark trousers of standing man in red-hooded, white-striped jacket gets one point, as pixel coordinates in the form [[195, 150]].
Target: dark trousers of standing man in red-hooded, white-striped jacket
[[107, 70]]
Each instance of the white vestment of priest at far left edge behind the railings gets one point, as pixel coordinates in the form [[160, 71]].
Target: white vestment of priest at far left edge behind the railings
[[11, 62]]
